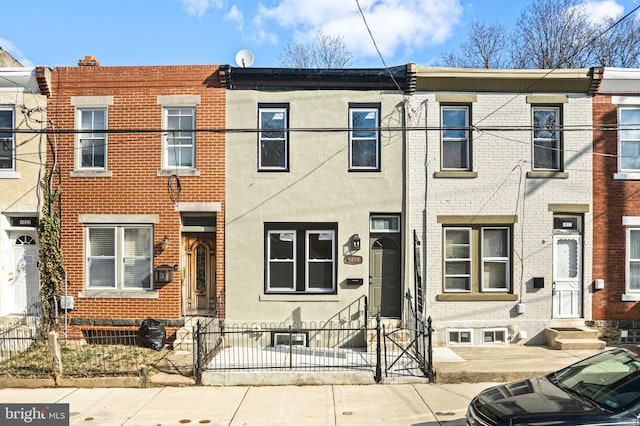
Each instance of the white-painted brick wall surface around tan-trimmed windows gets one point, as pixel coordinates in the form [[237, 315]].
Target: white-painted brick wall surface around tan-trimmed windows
[[501, 160]]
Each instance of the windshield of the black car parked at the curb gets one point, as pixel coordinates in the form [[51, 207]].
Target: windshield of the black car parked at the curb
[[610, 379]]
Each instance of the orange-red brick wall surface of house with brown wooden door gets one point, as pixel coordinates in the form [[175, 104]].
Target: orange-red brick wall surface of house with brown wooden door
[[134, 159]]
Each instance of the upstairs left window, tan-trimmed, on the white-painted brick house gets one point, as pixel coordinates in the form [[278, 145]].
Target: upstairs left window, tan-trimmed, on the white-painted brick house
[[455, 138]]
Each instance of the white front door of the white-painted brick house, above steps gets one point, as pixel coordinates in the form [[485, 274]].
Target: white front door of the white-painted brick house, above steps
[[567, 276]]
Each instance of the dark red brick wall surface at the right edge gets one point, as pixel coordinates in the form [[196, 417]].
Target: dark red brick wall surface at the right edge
[[612, 199]]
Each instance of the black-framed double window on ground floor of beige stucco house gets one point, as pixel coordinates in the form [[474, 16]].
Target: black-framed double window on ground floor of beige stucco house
[[301, 258]]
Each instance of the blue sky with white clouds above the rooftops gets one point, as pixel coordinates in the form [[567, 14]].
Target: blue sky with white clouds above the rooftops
[[168, 32]]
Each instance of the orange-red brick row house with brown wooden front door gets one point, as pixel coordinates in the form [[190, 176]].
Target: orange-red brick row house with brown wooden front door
[[140, 162]]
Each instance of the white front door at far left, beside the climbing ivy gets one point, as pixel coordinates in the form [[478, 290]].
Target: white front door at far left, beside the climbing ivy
[[23, 280]]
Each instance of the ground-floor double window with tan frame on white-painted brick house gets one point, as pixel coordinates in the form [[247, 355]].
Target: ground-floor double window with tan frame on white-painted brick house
[[489, 248]]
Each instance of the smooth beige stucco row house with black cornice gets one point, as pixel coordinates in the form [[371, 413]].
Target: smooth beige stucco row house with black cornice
[[314, 213]]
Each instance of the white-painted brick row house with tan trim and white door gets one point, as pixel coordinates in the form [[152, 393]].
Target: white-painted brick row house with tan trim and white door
[[499, 194]]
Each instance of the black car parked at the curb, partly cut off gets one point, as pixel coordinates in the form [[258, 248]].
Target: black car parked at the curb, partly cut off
[[603, 389]]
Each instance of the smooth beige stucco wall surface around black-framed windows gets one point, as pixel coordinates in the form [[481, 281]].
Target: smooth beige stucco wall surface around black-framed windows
[[317, 188]]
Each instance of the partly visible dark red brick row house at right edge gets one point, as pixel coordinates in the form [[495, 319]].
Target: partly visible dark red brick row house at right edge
[[616, 205]]
